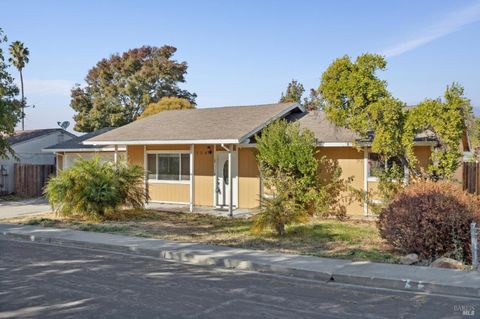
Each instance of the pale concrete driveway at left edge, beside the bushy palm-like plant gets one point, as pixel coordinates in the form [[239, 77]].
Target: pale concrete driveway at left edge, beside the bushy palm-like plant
[[9, 209]]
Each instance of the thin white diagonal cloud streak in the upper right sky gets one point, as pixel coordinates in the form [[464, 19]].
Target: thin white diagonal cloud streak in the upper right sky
[[451, 23]]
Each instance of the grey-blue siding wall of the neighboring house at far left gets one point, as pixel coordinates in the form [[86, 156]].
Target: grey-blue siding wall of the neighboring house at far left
[[30, 152]]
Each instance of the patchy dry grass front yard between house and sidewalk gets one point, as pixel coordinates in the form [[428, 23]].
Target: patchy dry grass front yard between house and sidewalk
[[356, 240]]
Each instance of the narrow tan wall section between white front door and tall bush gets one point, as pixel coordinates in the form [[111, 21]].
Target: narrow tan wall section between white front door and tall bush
[[248, 179]]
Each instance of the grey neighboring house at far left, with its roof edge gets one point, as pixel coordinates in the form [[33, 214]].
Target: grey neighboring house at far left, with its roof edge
[[28, 147]]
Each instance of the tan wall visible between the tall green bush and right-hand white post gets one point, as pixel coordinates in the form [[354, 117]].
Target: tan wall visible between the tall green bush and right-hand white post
[[351, 161]]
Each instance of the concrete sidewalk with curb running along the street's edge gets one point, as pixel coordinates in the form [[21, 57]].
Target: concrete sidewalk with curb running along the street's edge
[[409, 278]]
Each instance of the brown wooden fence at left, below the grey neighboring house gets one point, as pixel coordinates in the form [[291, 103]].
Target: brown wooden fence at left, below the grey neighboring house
[[31, 178]]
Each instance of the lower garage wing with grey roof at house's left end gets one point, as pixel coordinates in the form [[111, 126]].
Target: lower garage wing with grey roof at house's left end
[[69, 151]]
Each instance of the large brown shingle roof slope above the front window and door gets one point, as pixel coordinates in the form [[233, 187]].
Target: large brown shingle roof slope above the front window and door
[[220, 123]]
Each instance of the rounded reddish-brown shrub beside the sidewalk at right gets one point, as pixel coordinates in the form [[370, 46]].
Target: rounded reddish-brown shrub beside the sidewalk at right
[[431, 219]]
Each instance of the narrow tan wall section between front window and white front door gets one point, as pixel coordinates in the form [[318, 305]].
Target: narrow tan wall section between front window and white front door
[[204, 175]]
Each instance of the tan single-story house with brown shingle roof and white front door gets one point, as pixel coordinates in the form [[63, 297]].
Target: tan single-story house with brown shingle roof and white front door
[[187, 153]]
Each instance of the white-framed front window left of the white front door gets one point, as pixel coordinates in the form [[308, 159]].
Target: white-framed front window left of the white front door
[[168, 166]]
